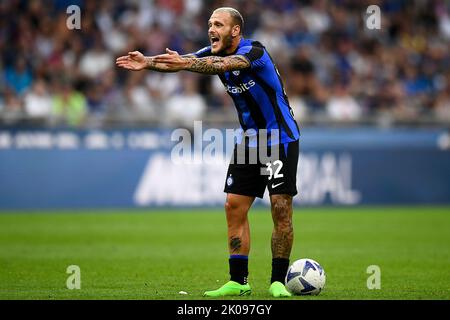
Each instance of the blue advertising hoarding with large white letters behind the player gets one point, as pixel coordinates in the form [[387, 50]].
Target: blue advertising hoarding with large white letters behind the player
[[136, 168]]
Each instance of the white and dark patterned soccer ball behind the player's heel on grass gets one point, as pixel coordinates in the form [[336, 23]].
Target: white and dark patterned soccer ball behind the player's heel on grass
[[305, 277]]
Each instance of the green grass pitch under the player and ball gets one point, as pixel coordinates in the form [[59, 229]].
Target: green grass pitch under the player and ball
[[157, 254]]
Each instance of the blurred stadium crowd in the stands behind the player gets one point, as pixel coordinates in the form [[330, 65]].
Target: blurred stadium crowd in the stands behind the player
[[334, 68]]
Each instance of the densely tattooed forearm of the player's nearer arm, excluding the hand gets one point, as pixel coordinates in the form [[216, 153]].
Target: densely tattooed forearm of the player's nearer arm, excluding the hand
[[215, 65]]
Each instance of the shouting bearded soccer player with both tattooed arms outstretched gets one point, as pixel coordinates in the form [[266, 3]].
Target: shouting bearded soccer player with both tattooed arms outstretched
[[253, 82]]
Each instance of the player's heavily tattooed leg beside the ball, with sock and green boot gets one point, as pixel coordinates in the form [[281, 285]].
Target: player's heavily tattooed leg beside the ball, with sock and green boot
[[282, 239]]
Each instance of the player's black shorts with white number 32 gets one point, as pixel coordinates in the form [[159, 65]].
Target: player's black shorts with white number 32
[[251, 178]]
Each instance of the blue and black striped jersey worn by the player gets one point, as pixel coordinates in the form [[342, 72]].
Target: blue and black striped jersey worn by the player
[[258, 93]]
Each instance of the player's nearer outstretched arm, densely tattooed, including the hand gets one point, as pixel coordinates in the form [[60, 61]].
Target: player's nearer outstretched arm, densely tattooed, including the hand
[[207, 65]]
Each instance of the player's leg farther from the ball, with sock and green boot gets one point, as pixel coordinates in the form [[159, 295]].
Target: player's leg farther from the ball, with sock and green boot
[[236, 209]]
